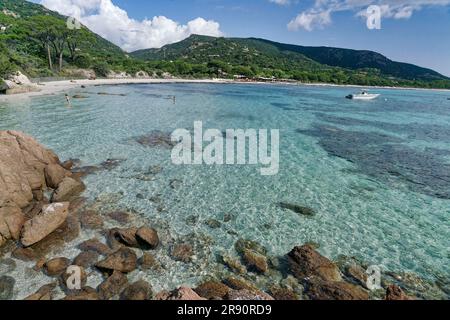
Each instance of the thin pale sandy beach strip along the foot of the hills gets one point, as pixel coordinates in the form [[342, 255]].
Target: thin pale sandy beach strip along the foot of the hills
[[53, 87]]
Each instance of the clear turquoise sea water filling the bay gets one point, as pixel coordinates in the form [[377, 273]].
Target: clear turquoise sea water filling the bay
[[377, 173]]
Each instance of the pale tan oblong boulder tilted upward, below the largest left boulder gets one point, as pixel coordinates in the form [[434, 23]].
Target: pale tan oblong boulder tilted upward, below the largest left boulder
[[51, 218]]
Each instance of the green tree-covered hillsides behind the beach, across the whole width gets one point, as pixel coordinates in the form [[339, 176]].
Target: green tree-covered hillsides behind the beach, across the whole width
[[38, 42]]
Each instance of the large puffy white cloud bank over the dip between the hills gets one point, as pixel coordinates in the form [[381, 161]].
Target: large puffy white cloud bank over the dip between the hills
[[114, 24]]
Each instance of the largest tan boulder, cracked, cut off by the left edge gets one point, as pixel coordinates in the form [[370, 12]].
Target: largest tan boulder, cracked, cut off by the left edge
[[22, 164]]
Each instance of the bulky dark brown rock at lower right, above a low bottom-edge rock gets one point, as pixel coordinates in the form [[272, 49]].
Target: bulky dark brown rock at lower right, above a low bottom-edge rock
[[305, 262]]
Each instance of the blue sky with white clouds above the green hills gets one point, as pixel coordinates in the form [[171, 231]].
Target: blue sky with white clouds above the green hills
[[413, 31]]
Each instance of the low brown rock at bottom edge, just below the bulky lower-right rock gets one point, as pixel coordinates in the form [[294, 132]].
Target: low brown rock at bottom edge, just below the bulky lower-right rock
[[318, 289]]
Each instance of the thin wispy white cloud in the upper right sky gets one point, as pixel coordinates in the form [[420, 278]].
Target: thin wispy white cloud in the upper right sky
[[319, 15]]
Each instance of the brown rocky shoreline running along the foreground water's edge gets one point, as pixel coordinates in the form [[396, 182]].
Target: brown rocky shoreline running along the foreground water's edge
[[42, 210]]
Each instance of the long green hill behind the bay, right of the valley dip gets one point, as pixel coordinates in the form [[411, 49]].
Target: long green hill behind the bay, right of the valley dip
[[314, 64]]
